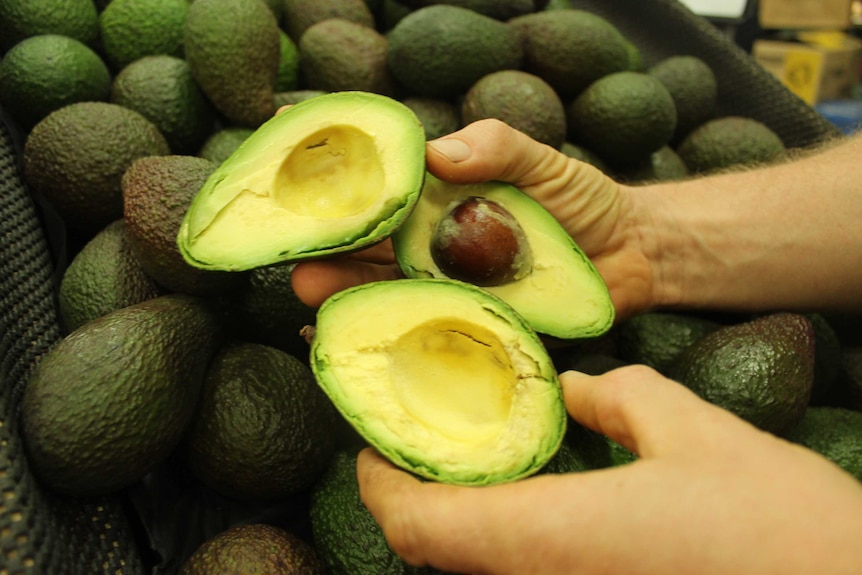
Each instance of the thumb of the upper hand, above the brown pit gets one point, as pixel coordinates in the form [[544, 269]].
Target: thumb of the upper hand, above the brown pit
[[492, 150]]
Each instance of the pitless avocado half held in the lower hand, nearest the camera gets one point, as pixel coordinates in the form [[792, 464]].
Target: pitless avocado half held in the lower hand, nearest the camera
[[443, 378]]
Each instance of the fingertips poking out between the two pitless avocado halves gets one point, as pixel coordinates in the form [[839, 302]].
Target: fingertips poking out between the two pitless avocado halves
[[314, 281]]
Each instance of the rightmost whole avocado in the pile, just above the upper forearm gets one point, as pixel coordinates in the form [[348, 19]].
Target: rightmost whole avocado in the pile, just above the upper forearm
[[728, 142]]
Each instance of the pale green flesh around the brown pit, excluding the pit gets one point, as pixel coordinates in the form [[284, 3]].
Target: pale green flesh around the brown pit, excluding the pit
[[562, 295]]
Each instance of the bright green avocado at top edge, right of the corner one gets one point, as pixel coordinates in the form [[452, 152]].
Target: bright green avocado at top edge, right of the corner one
[[132, 29]]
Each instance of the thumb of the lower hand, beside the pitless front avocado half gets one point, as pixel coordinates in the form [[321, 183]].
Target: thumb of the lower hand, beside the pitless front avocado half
[[646, 412]]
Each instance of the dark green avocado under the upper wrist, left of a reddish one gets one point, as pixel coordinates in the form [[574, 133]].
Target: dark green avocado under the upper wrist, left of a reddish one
[[657, 339]]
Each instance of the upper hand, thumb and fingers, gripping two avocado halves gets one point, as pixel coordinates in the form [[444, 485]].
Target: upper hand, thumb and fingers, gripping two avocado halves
[[596, 211]]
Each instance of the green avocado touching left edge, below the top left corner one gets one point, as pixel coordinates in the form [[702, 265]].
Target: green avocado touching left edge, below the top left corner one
[[46, 72]]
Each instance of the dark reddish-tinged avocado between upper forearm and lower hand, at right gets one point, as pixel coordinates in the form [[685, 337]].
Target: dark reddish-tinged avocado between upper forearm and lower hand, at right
[[761, 370]]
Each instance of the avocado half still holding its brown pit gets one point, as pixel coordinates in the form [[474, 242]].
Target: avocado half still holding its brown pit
[[497, 237]]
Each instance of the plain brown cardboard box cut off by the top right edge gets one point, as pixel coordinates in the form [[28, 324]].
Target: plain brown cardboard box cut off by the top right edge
[[804, 14]]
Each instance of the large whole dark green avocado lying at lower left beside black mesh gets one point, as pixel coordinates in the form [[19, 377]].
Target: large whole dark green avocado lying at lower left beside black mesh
[[112, 399]]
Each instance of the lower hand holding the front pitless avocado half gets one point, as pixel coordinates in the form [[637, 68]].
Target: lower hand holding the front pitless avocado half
[[709, 494]]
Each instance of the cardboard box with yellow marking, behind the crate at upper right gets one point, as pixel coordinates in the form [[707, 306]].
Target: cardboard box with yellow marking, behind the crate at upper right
[[814, 72]]
